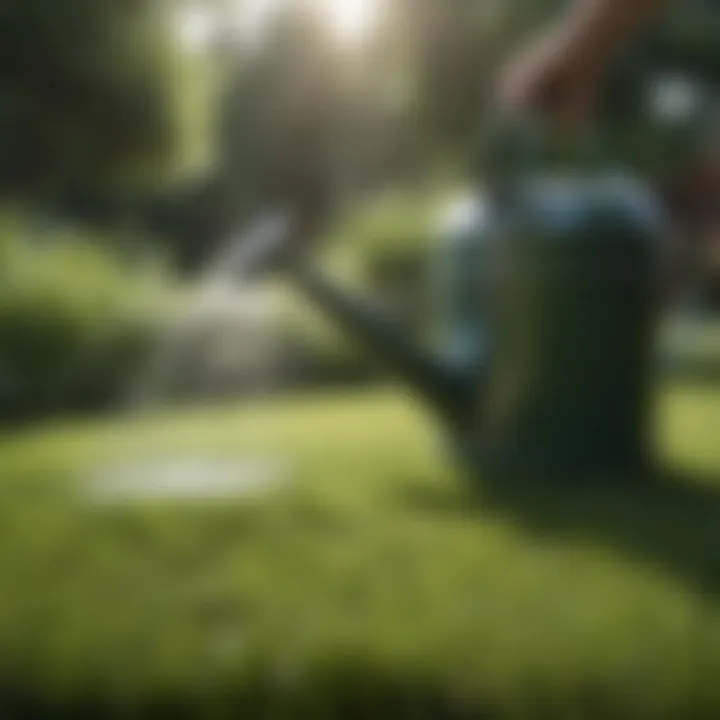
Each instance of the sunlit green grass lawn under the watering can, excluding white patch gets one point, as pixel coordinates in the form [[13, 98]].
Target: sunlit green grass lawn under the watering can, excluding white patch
[[371, 585]]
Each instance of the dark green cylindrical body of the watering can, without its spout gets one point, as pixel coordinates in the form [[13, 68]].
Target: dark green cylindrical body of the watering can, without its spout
[[550, 301]]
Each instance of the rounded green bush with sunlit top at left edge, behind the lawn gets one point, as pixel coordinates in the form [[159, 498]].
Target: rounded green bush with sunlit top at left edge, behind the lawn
[[75, 320]]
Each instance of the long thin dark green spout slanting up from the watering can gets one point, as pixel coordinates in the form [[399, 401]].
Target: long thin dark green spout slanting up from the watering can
[[446, 389]]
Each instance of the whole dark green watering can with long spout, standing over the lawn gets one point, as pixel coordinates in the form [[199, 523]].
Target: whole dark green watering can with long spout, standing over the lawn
[[546, 298]]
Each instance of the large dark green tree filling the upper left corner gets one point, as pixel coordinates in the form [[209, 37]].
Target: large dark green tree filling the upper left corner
[[92, 95]]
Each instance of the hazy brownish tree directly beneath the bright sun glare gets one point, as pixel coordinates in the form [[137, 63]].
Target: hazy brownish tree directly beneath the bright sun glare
[[284, 104]]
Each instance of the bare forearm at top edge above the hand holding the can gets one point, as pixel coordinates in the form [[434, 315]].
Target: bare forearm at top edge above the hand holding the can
[[602, 26]]
